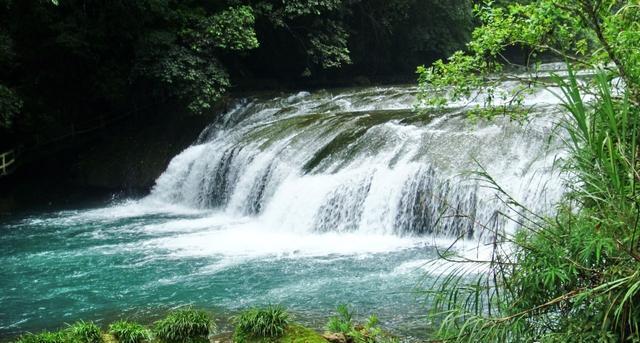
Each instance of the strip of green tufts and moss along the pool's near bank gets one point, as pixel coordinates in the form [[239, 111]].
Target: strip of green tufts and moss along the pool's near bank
[[266, 324]]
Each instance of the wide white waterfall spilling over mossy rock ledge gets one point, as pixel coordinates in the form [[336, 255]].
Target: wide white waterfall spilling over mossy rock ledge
[[363, 160]]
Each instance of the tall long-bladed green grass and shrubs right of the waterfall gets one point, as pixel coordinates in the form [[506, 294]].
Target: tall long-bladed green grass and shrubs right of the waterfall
[[574, 277]]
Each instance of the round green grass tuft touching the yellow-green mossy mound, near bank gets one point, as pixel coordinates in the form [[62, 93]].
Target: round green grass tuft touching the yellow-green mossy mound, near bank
[[269, 322]]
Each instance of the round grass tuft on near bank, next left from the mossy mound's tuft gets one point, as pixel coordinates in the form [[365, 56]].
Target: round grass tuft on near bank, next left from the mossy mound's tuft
[[184, 325]]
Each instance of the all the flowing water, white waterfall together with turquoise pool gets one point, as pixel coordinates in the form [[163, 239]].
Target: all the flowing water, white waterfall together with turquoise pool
[[308, 200]]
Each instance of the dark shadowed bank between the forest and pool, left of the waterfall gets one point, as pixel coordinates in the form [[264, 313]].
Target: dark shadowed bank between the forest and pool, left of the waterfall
[[124, 159]]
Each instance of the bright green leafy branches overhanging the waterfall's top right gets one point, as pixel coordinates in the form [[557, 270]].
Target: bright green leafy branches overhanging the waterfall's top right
[[587, 33]]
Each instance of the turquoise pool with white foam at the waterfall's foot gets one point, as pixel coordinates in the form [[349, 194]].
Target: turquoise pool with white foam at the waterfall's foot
[[127, 261]]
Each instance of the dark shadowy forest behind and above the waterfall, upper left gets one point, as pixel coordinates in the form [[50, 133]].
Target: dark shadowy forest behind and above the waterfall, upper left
[[69, 66]]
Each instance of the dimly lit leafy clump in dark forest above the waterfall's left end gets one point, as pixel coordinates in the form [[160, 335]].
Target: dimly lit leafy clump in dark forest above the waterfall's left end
[[181, 58]]
